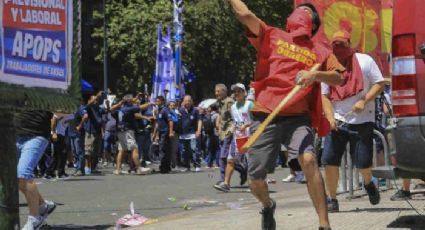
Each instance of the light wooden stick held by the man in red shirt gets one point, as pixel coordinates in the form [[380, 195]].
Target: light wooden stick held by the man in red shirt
[[273, 114]]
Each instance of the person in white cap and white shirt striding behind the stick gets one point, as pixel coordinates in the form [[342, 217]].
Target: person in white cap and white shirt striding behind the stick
[[242, 120]]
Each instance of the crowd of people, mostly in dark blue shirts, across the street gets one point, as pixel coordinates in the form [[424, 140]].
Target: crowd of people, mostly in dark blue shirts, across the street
[[137, 131]]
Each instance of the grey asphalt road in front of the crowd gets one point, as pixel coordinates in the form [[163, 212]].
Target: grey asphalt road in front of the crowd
[[96, 202]]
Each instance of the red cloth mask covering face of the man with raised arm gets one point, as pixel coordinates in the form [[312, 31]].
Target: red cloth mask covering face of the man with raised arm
[[299, 23]]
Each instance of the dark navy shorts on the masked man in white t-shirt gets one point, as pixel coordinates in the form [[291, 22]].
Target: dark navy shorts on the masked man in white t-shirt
[[360, 137]]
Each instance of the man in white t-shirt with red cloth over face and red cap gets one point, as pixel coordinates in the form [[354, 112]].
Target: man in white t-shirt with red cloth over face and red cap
[[350, 109]]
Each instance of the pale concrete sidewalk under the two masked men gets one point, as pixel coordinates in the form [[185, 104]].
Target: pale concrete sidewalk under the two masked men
[[294, 211]]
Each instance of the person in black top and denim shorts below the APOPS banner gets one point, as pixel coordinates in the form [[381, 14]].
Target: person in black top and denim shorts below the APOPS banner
[[33, 129]]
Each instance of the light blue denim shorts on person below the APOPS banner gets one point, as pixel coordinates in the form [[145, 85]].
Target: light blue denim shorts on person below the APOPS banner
[[29, 152]]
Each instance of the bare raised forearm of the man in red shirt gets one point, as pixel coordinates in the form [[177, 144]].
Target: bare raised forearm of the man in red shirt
[[246, 17]]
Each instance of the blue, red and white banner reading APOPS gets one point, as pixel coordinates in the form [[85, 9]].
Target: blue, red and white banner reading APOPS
[[35, 42]]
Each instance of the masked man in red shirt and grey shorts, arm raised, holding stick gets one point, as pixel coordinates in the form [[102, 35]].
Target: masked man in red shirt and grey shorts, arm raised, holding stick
[[283, 60]]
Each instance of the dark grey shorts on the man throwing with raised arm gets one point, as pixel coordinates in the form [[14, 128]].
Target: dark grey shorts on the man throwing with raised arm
[[294, 132]]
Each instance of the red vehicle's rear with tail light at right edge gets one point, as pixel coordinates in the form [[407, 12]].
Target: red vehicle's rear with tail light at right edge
[[408, 87]]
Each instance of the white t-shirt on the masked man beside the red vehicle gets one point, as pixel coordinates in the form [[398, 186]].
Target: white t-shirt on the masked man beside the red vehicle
[[371, 75]]
